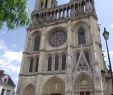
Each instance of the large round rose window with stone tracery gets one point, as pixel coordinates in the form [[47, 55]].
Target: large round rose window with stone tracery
[[57, 38]]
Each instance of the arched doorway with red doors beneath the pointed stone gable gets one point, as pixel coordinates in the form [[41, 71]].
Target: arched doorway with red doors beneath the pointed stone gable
[[84, 85]]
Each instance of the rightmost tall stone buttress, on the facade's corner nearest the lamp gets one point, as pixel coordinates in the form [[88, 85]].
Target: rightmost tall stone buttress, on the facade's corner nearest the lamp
[[96, 68]]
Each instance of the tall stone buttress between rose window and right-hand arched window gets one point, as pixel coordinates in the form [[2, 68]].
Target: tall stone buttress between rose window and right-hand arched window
[[69, 81]]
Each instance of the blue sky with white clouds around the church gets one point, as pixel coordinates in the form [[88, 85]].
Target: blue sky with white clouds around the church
[[12, 42]]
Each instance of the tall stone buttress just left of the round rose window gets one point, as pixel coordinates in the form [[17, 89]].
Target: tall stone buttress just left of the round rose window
[[39, 81]]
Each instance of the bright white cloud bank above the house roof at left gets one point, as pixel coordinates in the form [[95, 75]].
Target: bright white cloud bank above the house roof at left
[[9, 59]]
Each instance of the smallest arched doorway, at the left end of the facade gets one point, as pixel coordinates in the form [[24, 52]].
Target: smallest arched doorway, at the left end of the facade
[[29, 90]]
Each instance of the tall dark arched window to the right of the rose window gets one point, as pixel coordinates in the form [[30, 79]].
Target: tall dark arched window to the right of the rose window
[[81, 36]]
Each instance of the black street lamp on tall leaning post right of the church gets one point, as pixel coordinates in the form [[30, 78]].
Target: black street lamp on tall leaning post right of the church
[[106, 37]]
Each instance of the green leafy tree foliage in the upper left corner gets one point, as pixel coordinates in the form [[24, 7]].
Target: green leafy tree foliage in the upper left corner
[[13, 13]]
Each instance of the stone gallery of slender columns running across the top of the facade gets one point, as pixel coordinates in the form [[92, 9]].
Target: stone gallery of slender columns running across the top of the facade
[[73, 10]]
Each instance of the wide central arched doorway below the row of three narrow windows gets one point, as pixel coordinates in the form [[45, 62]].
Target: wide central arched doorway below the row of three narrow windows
[[54, 86]]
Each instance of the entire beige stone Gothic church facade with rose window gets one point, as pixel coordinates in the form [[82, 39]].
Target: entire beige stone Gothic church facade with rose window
[[63, 53]]
